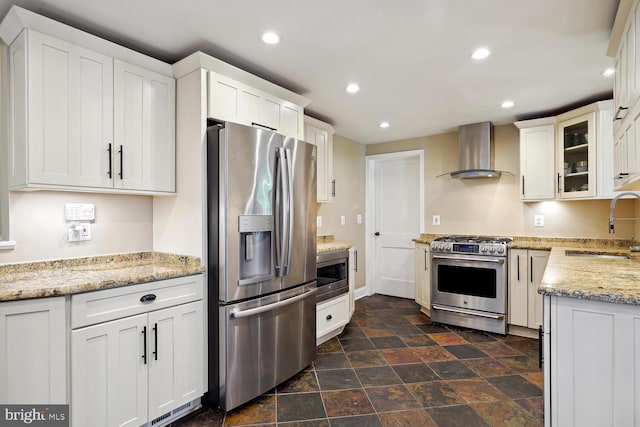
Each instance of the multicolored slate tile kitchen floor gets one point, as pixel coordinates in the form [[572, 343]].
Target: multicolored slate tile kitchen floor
[[393, 367]]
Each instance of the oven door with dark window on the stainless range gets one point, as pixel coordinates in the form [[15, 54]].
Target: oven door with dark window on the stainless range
[[470, 282]]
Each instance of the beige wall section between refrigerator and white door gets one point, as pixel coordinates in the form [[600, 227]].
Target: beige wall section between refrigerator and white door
[[349, 173]]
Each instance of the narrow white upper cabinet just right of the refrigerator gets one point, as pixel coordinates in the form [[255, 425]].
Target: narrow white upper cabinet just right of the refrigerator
[[320, 134]]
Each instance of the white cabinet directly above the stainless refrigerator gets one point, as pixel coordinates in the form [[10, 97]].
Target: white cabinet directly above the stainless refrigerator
[[234, 101]]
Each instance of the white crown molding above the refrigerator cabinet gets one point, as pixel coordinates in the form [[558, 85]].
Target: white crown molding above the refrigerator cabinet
[[198, 60]]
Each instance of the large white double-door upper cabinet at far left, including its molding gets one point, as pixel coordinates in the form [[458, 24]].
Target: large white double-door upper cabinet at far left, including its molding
[[82, 119]]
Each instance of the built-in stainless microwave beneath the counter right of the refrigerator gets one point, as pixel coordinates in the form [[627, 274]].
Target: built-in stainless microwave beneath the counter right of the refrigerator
[[333, 270]]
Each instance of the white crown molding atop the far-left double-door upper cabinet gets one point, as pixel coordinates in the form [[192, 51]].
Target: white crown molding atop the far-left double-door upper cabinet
[[18, 19]]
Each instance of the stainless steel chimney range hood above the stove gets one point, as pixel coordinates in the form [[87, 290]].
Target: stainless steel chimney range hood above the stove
[[474, 155]]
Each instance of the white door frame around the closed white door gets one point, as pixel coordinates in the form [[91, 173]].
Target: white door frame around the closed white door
[[372, 162]]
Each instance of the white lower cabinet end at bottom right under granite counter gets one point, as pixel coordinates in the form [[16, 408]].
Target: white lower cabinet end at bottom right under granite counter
[[591, 368]]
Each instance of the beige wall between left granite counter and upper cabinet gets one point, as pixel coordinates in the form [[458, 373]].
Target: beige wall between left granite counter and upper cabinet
[[122, 224]]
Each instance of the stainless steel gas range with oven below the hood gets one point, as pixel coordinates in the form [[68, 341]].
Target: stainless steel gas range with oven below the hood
[[469, 282]]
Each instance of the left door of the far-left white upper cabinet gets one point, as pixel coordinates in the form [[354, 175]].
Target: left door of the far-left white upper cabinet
[[70, 113]]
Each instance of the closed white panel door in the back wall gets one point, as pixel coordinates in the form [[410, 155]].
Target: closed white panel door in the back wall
[[397, 214]]
